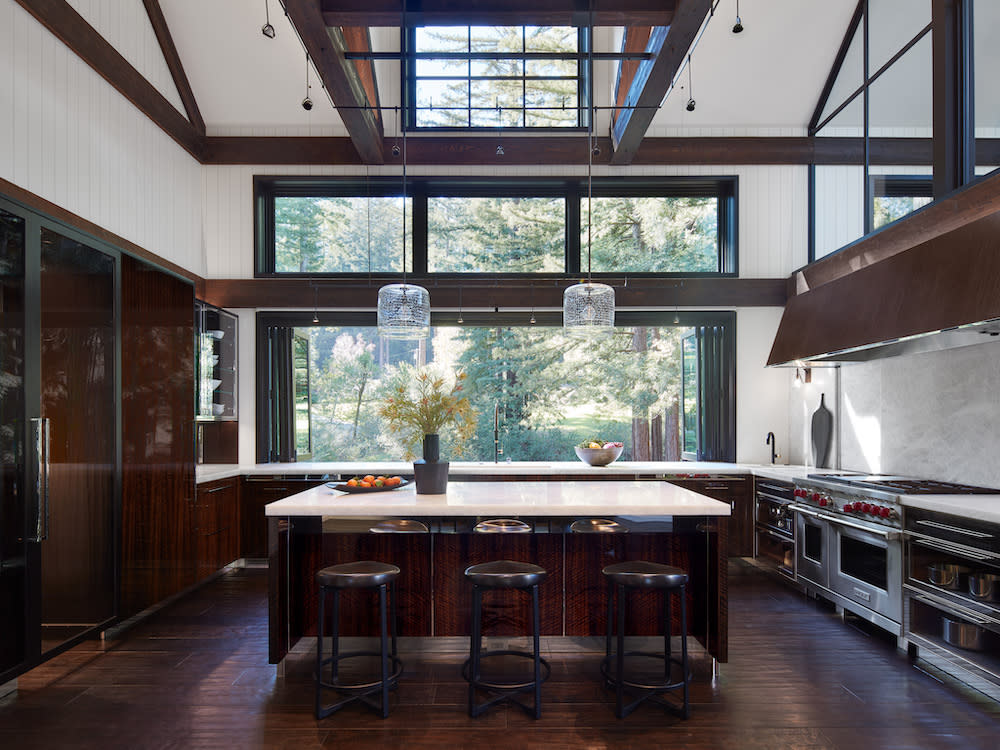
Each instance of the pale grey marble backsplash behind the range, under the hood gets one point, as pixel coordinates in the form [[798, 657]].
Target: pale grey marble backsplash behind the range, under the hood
[[926, 415]]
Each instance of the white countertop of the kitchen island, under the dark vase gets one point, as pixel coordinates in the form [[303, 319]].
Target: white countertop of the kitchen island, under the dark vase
[[510, 498]]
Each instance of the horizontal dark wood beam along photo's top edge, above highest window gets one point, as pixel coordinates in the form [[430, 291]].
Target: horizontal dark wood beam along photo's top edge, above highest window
[[489, 12]]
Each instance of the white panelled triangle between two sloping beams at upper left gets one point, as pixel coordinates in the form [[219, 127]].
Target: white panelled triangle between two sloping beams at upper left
[[125, 25]]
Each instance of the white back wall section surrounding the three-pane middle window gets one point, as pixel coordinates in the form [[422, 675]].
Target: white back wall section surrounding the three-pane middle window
[[772, 209]]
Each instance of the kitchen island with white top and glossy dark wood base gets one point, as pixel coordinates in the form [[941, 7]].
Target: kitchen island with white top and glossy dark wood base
[[666, 523]]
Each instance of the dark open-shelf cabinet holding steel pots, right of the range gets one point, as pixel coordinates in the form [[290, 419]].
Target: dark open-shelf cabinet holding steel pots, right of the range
[[952, 595]]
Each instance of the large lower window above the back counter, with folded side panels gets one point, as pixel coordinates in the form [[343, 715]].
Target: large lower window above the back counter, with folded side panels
[[543, 392]]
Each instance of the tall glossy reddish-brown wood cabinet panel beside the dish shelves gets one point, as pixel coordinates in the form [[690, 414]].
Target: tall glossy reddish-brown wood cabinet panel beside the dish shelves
[[158, 485]]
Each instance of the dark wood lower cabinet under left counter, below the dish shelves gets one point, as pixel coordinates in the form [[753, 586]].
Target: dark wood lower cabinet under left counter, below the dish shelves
[[217, 525]]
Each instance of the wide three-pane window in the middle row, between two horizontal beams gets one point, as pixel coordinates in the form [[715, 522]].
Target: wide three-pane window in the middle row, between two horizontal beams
[[668, 226]]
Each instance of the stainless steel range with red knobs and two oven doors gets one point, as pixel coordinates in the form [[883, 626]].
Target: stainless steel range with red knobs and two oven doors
[[848, 540]]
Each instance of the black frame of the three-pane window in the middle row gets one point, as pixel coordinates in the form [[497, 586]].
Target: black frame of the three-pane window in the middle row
[[724, 188]]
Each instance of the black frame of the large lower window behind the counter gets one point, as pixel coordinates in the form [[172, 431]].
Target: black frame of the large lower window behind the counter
[[714, 330]]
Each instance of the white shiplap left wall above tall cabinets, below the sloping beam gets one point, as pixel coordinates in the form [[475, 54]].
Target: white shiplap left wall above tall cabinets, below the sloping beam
[[69, 137]]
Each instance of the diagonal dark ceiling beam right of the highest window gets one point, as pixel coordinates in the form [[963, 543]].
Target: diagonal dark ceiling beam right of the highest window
[[653, 79]]
